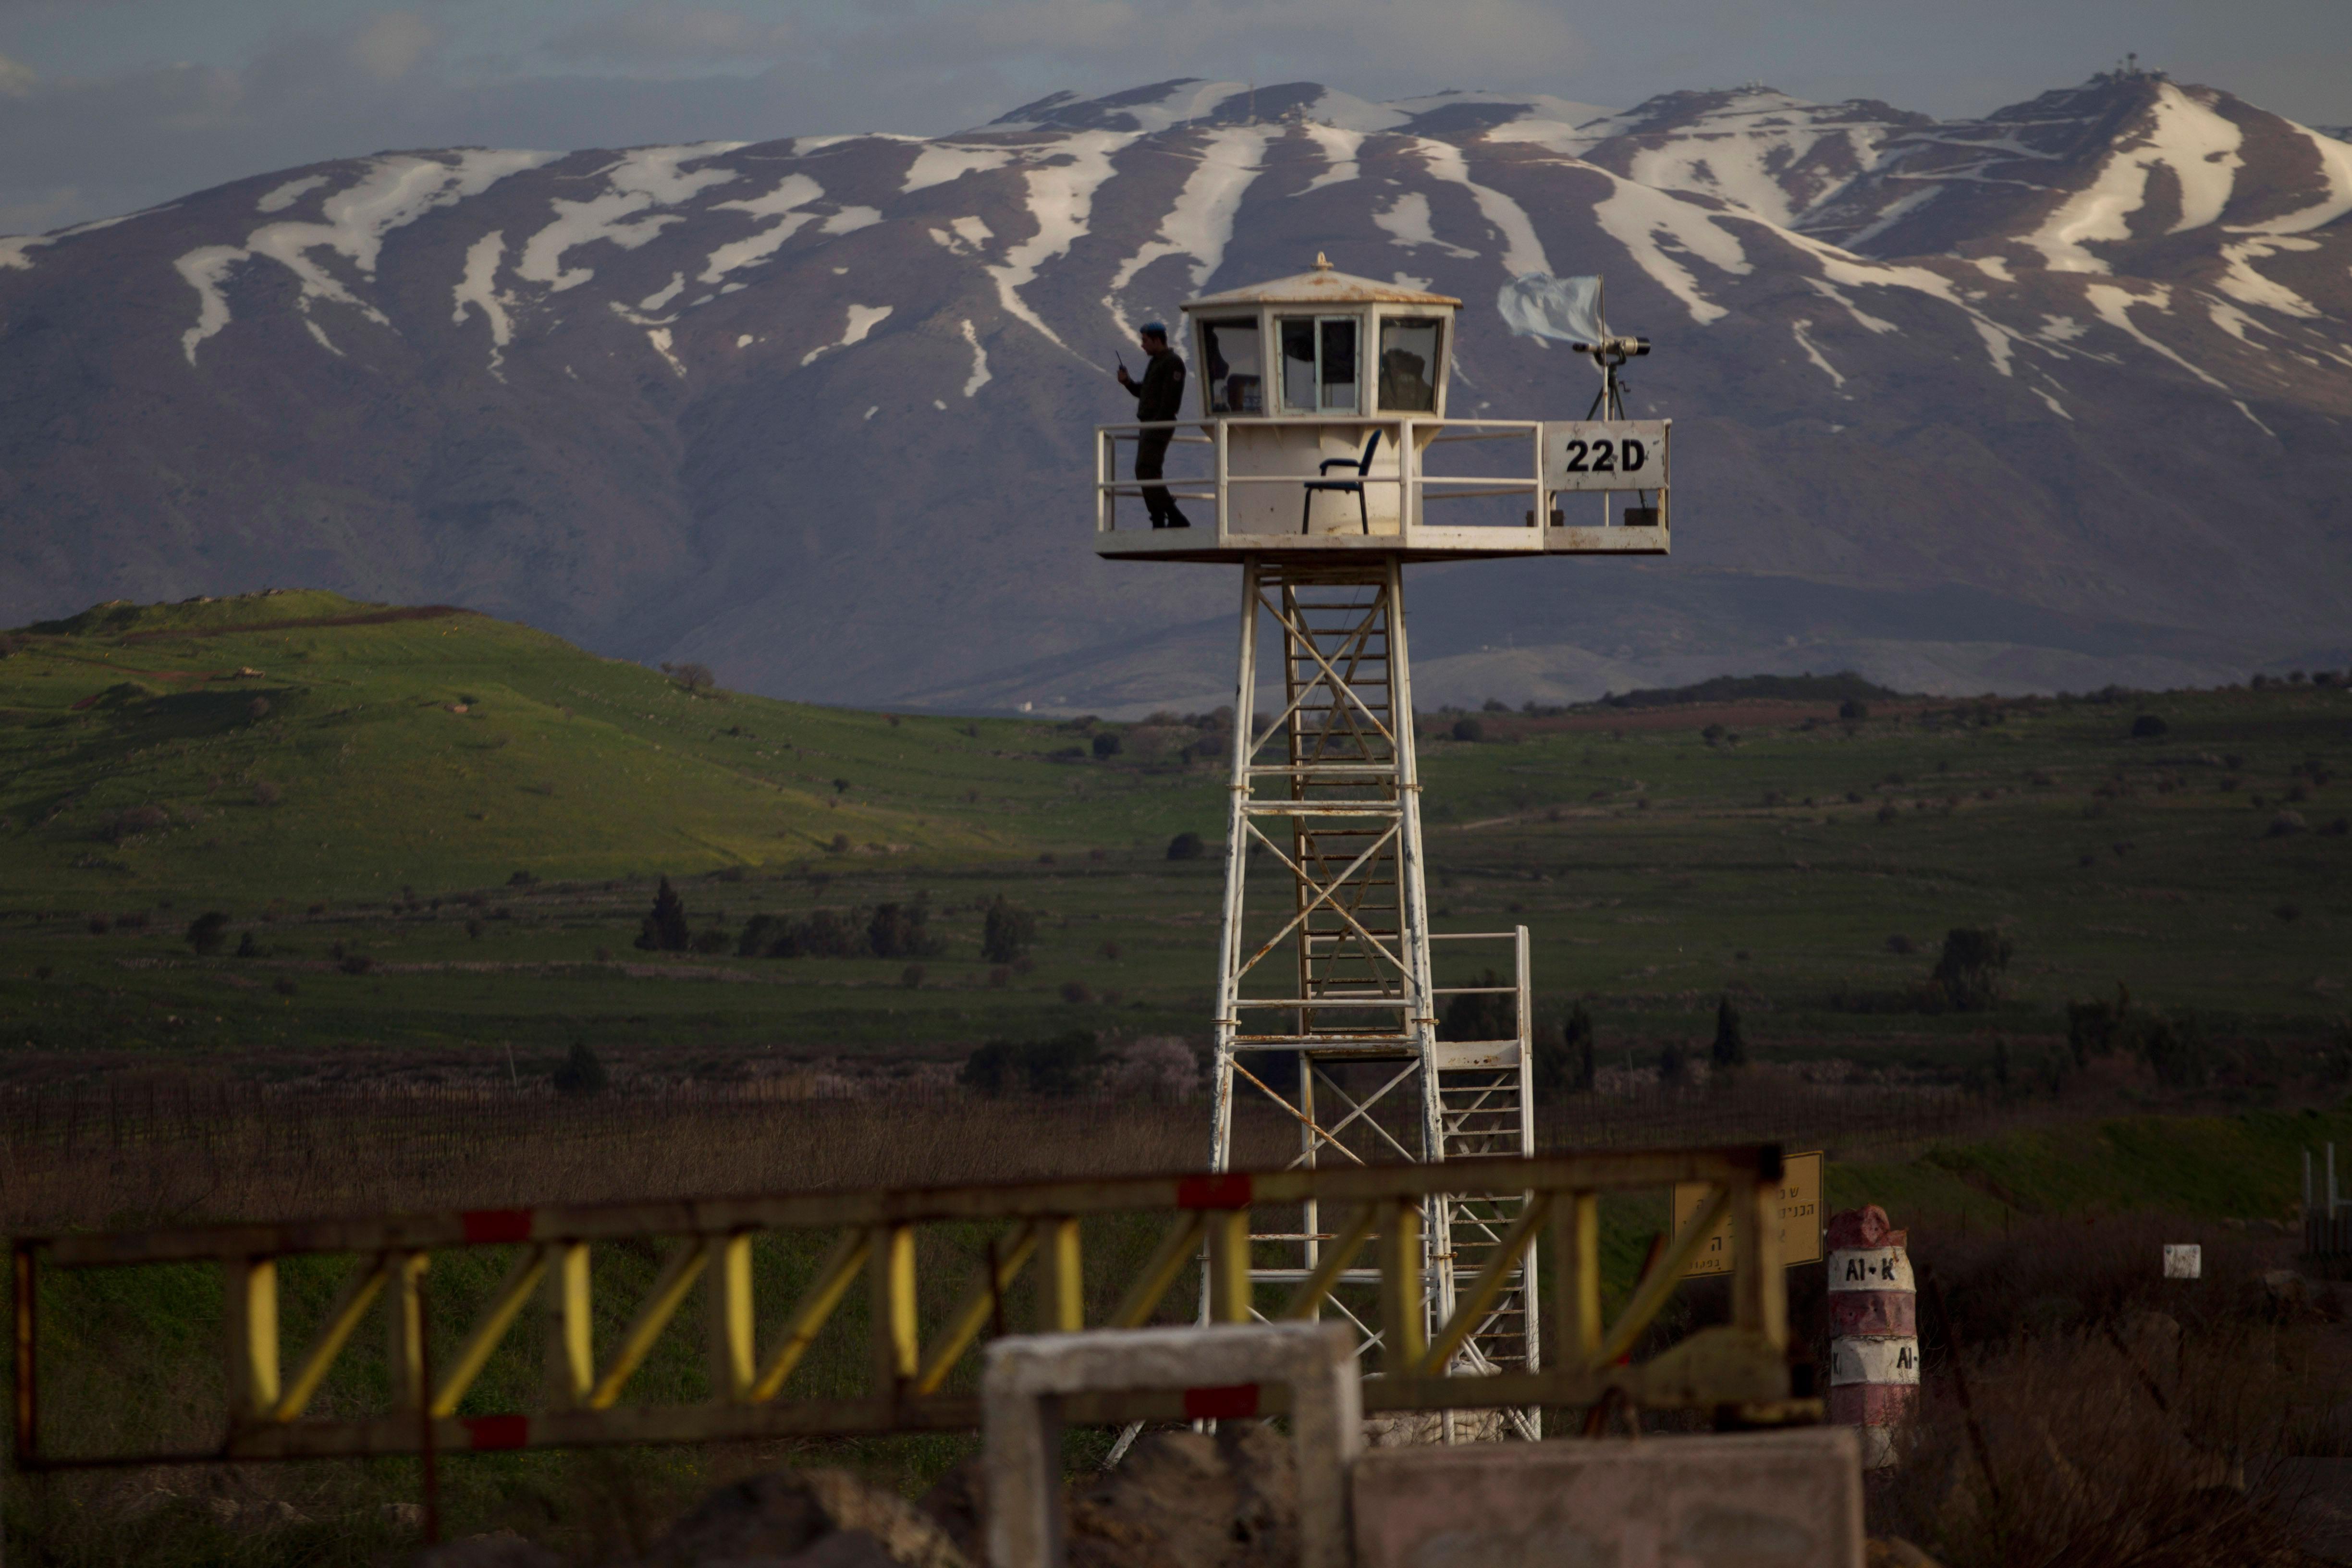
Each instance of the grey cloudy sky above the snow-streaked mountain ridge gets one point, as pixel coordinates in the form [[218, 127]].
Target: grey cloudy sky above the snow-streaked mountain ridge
[[119, 105]]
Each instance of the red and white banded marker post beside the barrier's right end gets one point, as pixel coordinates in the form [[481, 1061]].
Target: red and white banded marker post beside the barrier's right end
[[1876, 1329]]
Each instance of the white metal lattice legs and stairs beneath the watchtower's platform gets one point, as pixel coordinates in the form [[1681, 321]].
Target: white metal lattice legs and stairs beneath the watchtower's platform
[[1325, 1000]]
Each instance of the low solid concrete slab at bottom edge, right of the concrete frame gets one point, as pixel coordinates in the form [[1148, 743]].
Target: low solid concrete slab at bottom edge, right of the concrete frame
[[1739, 1501]]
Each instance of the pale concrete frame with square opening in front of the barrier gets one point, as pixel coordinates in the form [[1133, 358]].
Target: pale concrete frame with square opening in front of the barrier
[[1027, 1376]]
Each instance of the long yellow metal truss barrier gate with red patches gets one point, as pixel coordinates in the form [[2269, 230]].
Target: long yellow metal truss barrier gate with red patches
[[584, 1395]]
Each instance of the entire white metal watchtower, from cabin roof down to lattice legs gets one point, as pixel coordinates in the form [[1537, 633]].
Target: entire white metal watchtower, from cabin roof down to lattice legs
[[1323, 462]]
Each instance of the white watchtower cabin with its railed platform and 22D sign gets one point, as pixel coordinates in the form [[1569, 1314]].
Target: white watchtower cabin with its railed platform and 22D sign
[[1323, 431]]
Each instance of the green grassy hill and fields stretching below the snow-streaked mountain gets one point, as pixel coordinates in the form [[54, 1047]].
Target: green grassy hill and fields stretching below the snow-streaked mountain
[[434, 836]]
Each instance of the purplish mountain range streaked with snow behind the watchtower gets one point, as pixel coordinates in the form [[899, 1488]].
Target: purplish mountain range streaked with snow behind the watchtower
[[2047, 398]]
